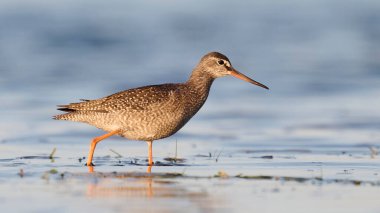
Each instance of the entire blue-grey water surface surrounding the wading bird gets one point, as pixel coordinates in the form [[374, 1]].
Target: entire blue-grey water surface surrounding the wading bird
[[310, 141]]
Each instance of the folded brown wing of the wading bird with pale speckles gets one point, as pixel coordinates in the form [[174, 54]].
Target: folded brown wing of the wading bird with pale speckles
[[136, 99]]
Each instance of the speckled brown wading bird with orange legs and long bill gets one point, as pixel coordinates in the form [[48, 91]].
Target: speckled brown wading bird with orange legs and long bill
[[153, 112]]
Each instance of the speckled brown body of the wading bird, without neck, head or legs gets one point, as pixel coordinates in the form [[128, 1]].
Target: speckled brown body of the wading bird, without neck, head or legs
[[145, 113]]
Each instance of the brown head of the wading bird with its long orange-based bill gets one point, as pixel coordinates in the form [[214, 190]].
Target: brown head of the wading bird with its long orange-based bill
[[218, 65]]
